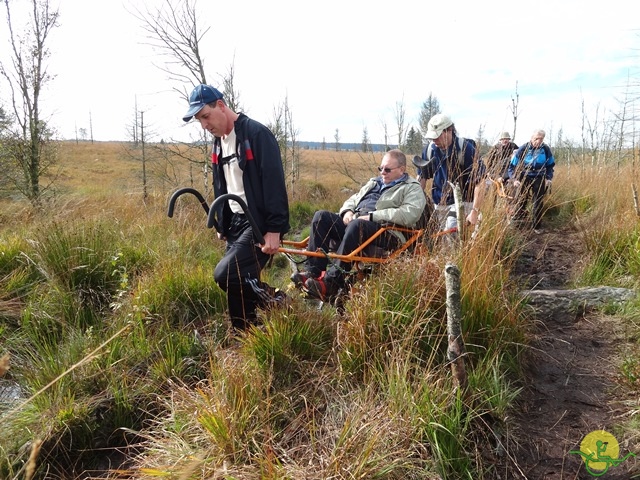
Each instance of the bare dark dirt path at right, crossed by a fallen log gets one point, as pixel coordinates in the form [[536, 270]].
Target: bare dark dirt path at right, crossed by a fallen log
[[570, 373]]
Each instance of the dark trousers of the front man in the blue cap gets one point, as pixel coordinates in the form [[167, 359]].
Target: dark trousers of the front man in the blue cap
[[238, 274]]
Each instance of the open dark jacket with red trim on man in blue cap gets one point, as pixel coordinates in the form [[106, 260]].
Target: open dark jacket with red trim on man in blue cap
[[263, 177]]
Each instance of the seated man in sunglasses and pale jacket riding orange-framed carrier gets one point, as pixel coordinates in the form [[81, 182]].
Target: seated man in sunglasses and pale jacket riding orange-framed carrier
[[393, 197]]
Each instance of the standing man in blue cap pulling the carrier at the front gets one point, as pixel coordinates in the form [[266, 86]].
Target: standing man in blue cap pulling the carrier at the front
[[246, 162]]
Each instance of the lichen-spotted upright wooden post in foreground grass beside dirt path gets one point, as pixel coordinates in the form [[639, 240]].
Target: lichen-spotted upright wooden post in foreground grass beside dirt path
[[455, 351]]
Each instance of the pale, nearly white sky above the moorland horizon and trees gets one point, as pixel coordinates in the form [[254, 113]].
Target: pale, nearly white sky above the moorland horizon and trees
[[347, 65]]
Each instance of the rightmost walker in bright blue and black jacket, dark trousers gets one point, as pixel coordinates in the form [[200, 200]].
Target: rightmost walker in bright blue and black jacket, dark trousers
[[531, 171]]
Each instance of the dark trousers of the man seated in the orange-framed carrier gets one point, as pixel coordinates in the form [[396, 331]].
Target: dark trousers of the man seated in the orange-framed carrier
[[327, 227]]
